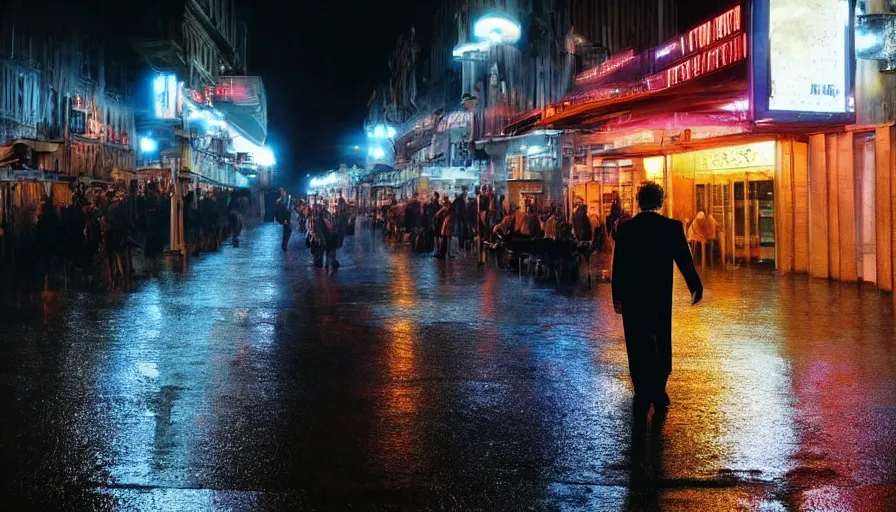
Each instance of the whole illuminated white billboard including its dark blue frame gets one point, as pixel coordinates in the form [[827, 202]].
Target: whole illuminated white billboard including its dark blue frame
[[802, 60]]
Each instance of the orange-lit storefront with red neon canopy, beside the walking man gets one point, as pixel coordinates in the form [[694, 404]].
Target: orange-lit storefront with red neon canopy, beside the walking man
[[749, 121]]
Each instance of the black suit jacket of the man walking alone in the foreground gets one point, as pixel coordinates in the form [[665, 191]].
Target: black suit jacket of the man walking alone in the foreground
[[646, 246]]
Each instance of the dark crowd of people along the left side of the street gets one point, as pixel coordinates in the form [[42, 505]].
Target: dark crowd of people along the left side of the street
[[90, 242]]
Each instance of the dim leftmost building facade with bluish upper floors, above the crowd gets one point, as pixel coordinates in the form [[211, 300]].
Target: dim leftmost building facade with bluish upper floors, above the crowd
[[66, 106]]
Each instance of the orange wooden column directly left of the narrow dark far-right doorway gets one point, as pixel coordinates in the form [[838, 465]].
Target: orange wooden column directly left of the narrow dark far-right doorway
[[847, 202]]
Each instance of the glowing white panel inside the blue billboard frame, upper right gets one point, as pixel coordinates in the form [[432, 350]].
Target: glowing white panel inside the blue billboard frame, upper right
[[807, 48]]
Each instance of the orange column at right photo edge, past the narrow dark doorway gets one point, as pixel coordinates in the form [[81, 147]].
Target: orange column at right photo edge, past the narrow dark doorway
[[884, 139]]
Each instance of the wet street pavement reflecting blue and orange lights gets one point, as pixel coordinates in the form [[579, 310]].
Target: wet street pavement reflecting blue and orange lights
[[251, 381]]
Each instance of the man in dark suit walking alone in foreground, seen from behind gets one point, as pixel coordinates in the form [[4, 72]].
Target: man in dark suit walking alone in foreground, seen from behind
[[646, 246]]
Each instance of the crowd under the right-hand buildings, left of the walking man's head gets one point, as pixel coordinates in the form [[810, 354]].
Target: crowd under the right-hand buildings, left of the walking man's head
[[483, 222]]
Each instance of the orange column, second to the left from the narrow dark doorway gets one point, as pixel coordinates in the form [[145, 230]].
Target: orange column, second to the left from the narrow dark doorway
[[818, 208]]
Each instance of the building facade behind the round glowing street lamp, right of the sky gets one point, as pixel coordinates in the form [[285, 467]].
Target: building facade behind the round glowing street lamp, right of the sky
[[463, 112]]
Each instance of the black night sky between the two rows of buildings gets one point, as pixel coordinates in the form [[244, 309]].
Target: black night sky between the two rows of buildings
[[320, 62]]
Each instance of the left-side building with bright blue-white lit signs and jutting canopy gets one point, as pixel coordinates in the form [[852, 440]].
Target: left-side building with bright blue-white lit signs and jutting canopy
[[201, 120]]
